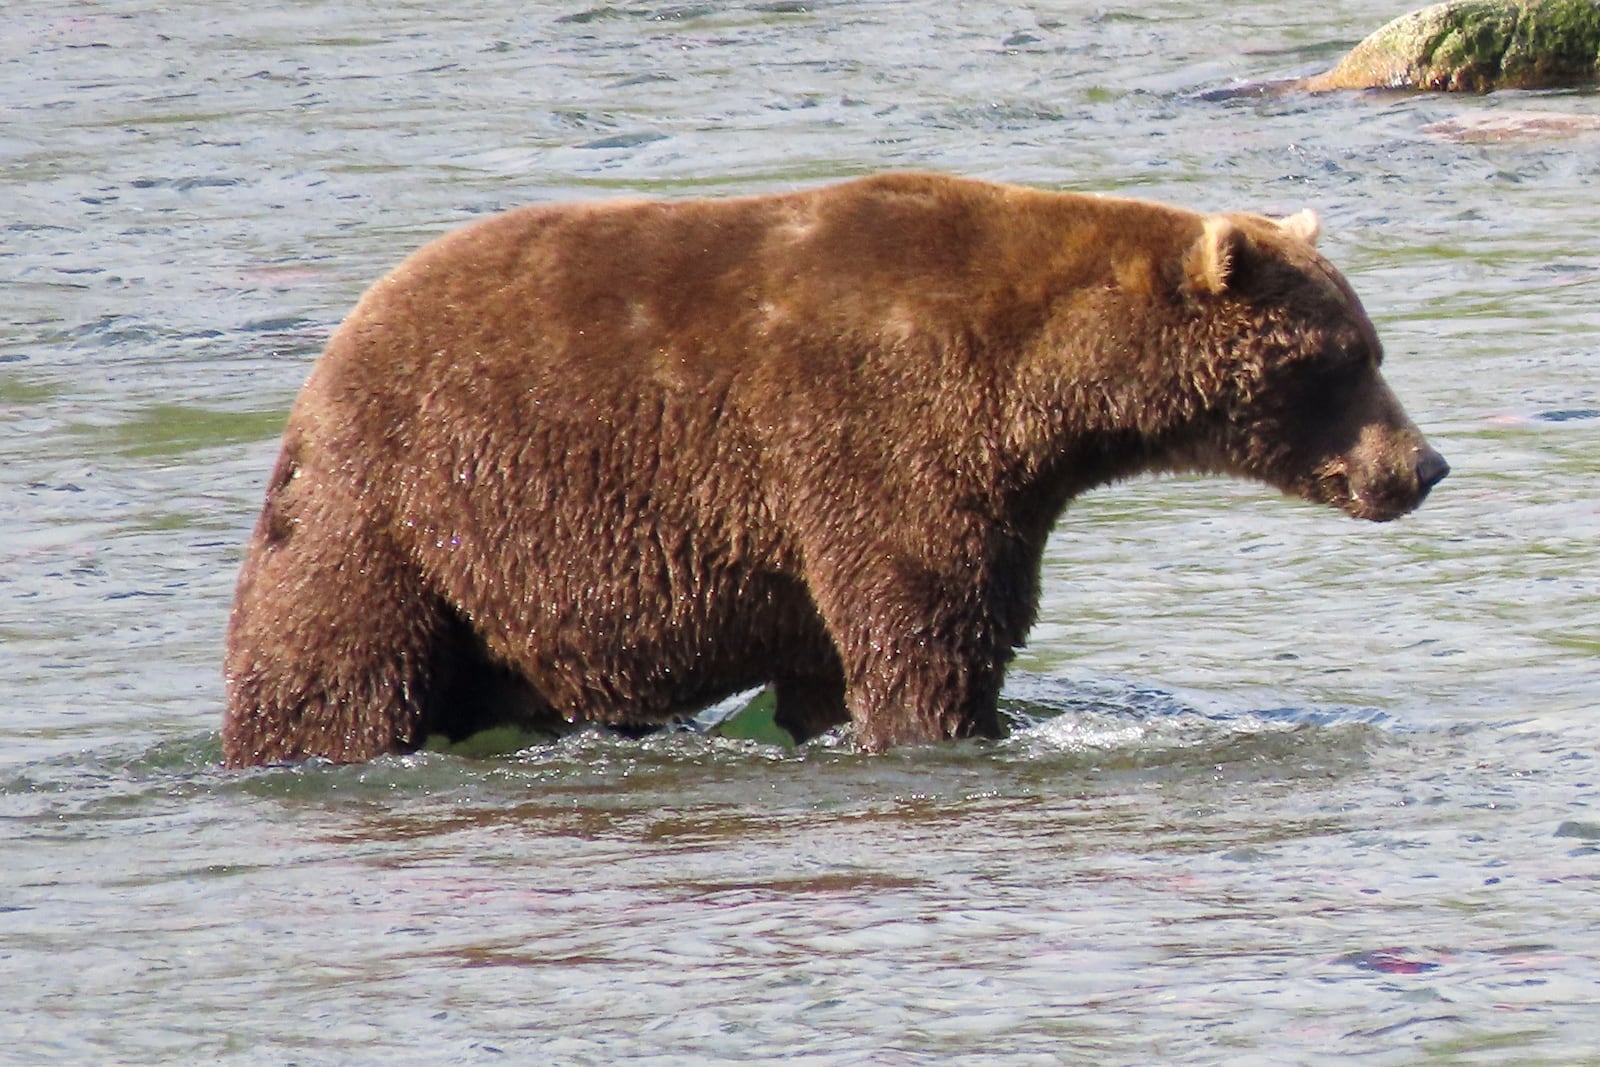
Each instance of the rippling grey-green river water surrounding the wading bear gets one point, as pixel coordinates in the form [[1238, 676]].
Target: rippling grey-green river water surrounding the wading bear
[[1287, 788]]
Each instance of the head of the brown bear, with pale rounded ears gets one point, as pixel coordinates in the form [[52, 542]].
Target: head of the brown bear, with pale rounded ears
[[1289, 370]]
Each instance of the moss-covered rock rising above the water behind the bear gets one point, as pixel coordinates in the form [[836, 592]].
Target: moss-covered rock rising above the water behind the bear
[[1476, 47]]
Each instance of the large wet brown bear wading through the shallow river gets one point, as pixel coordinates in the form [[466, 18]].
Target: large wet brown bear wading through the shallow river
[[615, 462]]
